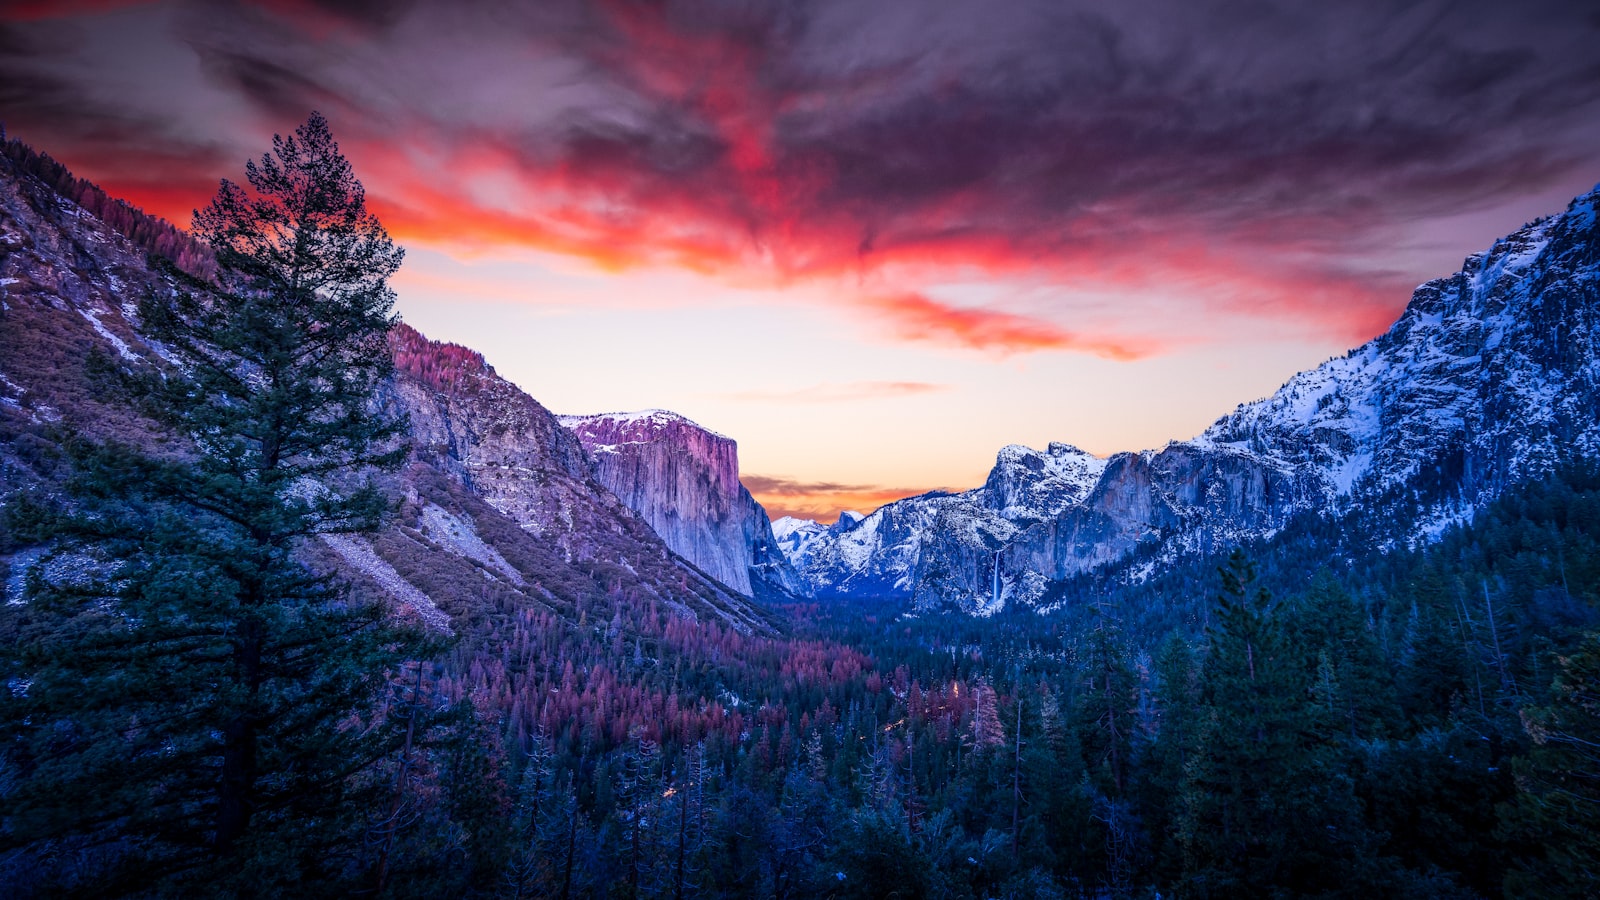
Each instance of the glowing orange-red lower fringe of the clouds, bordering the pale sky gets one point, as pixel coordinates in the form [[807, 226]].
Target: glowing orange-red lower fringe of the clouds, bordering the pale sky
[[431, 191]]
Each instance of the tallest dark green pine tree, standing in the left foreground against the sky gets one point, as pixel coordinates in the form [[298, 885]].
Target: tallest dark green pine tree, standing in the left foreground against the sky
[[198, 689]]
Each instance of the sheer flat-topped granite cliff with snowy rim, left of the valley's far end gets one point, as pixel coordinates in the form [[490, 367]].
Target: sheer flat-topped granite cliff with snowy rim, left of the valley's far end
[[684, 480]]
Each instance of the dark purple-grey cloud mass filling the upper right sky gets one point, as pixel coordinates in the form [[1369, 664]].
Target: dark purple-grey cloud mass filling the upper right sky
[[1274, 116]]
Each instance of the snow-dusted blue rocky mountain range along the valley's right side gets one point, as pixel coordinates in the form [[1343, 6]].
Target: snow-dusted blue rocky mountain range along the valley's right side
[[1489, 376]]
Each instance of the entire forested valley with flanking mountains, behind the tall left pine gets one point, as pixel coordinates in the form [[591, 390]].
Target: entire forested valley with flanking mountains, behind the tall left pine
[[1337, 645]]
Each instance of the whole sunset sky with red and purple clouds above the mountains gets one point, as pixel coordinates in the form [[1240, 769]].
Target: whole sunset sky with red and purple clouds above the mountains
[[873, 243]]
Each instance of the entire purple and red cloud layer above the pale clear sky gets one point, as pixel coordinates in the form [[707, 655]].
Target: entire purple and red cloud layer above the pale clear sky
[[1223, 166]]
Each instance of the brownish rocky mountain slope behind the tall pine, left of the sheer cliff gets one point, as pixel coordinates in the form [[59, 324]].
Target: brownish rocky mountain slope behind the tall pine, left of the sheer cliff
[[498, 505]]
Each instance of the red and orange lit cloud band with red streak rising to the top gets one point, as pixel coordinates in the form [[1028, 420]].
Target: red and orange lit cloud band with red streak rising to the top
[[724, 161]]
